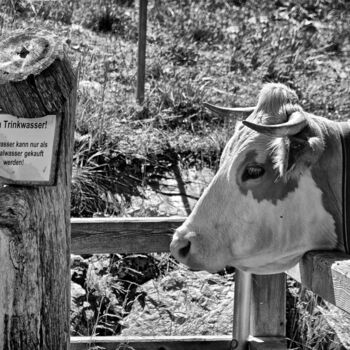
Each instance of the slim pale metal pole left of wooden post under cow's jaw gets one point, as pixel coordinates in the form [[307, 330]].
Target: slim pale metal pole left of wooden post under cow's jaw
[[241, 312]]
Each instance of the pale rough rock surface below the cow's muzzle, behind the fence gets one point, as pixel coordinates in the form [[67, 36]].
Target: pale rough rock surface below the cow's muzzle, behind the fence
[[183, 302]]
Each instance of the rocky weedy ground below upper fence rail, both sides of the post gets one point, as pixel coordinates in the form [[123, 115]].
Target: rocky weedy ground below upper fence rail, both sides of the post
[[140, 295]]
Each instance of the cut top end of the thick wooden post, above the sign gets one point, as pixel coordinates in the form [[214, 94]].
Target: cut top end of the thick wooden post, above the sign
[[35, 76]]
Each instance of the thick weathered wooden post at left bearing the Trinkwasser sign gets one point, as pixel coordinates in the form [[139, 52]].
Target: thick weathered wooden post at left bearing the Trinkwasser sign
[[37, 101]]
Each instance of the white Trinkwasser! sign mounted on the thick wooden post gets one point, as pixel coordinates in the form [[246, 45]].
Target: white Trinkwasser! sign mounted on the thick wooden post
[[27, 147]]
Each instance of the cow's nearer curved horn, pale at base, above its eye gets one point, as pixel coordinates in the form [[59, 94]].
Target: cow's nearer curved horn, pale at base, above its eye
[[293, 126]]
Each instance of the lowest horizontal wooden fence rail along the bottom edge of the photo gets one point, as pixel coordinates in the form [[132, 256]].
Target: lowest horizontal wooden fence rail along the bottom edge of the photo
[[153, 343]]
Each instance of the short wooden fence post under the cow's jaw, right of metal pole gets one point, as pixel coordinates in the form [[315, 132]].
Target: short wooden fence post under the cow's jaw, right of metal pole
[[268, 312]]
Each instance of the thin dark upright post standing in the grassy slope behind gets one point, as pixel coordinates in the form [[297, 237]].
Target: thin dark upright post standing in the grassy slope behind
[[141, 56]]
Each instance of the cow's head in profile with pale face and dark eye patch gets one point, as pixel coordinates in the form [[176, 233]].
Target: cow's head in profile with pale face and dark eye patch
[[263, 209]]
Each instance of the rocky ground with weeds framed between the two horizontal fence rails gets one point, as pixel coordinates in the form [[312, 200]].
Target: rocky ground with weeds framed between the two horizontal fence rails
[[110, 295]]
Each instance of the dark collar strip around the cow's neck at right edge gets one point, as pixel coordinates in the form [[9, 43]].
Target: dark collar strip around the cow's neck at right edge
[[345, 141]]
